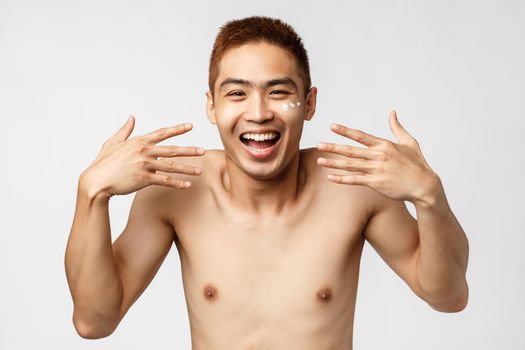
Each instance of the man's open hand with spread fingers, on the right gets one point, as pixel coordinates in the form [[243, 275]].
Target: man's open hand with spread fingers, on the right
[[396, 170]]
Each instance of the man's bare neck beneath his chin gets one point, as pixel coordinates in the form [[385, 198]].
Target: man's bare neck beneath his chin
[[269, 197]]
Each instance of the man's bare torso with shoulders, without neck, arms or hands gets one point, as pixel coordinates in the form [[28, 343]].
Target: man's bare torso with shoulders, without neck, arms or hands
[[288, 282]]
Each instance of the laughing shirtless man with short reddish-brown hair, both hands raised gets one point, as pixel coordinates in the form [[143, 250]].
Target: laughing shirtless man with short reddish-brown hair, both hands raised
[[269, 236]]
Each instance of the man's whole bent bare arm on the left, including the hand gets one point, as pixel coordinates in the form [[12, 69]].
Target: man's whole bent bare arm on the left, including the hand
[[105, 279]]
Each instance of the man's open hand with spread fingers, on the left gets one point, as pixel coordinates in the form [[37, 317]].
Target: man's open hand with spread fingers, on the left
[[124, 166]]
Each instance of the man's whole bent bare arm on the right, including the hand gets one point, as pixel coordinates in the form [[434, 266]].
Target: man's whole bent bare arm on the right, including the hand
[[430, 254]]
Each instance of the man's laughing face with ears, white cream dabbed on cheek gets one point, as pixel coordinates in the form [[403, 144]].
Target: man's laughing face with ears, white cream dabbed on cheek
[[259, 108]]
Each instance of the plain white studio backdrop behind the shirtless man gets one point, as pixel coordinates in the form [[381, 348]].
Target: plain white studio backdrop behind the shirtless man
[[71, 72]]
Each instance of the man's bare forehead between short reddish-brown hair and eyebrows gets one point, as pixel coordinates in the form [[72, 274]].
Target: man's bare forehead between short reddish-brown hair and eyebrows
[[257, 62]]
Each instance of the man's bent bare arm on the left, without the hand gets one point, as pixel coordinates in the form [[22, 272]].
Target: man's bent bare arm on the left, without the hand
[[105, 279]]
